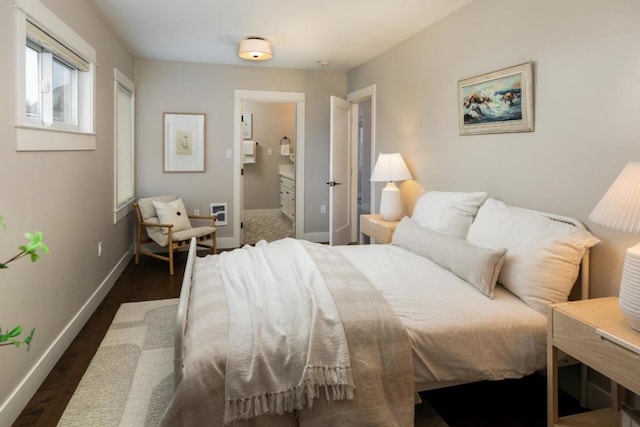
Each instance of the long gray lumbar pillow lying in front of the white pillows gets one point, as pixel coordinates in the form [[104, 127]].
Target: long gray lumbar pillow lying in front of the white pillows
[[478, 266]]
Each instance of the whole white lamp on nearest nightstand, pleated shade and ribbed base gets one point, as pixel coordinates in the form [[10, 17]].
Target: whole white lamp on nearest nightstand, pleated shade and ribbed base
[[619, 209]]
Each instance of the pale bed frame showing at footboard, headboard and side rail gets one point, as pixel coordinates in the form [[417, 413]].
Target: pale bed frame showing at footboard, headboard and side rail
[[185, 294]]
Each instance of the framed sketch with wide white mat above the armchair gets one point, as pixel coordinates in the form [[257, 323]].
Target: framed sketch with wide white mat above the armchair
[[184, 147]]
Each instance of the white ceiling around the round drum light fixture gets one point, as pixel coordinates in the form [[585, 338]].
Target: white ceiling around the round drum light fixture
[[346, 33]]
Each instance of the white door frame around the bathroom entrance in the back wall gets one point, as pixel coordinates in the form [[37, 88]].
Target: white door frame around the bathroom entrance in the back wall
[[297, 102]]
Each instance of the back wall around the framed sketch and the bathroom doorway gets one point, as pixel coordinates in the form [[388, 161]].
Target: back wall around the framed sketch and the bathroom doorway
[[164, 86]]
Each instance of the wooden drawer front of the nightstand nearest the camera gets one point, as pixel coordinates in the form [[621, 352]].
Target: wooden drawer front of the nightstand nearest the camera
[[582, 341]]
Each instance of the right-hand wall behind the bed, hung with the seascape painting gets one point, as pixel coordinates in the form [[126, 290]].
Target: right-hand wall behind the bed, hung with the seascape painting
[[587, 126]]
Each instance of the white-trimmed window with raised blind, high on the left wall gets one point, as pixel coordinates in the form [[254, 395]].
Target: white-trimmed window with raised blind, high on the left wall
[[55, 82]]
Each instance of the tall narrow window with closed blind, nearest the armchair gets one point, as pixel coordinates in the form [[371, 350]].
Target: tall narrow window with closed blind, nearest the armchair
[[125, 145]]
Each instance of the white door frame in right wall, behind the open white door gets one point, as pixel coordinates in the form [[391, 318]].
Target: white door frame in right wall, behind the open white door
[[355, 97]]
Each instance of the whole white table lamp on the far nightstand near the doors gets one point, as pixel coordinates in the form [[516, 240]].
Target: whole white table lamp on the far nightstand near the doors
[[389, 168]]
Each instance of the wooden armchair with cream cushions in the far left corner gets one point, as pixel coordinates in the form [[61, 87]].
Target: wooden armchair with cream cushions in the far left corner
[[166, 222]]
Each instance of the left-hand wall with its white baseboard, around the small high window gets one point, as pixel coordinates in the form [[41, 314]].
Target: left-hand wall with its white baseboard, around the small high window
[[68, 195]]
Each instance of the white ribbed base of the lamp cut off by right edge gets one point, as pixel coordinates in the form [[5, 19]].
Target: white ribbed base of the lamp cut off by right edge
[[629, 300]]
